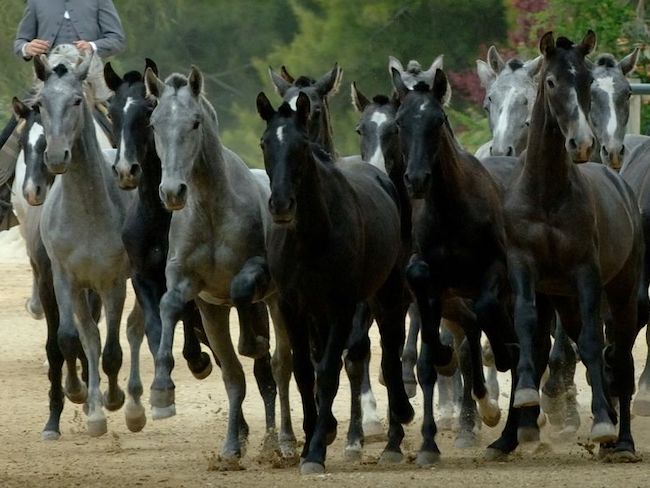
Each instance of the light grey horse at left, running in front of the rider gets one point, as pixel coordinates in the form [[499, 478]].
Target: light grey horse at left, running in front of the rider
[[80, 228]]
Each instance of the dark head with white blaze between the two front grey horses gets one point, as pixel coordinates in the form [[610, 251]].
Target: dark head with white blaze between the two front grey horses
[[130, 112]]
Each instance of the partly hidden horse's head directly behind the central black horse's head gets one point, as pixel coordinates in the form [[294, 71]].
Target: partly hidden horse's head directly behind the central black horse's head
[[318, 92]]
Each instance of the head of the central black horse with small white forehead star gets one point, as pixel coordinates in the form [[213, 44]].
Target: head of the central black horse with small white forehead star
[[285, 145]]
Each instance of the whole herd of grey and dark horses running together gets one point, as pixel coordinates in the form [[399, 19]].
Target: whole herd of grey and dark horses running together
[[519, 243]]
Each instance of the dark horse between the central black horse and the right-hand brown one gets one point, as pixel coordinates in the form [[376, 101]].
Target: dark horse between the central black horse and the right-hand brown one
[[459, 245]]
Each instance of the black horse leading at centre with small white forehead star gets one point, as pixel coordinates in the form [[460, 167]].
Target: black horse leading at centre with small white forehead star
[[335, 242]]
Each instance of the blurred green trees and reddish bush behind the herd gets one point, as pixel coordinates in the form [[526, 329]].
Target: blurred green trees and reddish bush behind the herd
[[234, 43]]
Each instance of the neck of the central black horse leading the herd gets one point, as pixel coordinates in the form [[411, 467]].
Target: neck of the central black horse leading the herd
[[312, 209]]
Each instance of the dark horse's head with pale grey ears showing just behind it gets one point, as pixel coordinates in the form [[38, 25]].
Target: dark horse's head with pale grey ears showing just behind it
[[420, 120]]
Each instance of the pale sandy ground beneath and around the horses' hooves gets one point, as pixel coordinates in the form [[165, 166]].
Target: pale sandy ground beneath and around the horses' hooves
[[180, 452]]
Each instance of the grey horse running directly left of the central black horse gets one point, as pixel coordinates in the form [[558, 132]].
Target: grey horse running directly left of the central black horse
[[217, 233]]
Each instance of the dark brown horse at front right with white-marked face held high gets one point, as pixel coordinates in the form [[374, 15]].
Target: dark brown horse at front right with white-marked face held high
[[573, 232]]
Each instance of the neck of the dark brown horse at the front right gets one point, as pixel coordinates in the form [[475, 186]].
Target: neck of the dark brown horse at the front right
[[547, 164]]
